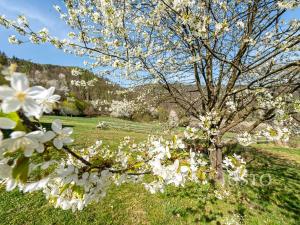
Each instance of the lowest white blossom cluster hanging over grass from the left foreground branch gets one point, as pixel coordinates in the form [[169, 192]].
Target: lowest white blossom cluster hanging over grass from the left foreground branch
[[72, 189]]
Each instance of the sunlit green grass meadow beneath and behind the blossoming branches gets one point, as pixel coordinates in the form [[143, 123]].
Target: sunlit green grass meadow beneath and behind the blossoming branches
[[274, 204]]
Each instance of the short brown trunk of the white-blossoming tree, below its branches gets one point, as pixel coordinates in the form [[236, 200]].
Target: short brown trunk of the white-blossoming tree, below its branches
[[216, 162]]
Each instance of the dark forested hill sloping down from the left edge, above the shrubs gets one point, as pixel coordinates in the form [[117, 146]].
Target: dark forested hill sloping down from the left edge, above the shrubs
[[88, 86]]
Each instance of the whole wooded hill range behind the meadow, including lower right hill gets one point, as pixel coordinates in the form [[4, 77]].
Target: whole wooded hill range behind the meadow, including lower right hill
[[78, 100]]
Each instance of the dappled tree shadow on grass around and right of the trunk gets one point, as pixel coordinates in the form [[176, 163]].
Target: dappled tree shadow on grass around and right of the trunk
[[274, 191]]
